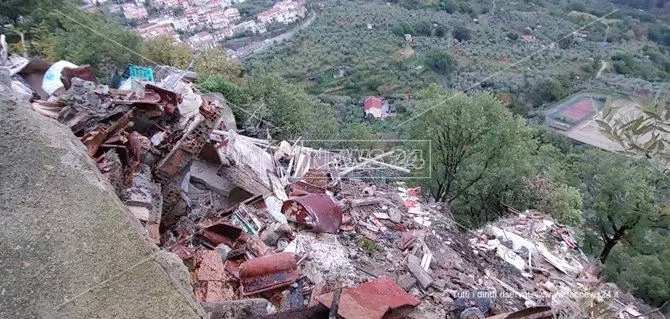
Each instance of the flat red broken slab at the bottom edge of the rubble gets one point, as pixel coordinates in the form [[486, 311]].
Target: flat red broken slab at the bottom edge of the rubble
[[370, 300]]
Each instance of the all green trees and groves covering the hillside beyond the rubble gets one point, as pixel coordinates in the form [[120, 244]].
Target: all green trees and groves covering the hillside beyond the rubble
[[485, 154]]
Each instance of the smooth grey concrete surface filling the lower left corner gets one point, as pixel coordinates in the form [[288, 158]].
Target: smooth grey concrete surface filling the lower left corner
[[68, 249]]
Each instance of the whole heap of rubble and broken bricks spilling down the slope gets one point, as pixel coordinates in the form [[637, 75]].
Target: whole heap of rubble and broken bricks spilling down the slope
[[273, 230]]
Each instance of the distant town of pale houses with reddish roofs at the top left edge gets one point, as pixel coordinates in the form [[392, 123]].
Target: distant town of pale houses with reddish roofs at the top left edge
[[200, 23]]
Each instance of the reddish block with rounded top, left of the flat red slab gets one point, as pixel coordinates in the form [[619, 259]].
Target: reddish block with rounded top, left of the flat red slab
[[268, 272]]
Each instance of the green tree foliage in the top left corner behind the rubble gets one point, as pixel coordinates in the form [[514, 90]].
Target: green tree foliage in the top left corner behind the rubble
[[58, 30]]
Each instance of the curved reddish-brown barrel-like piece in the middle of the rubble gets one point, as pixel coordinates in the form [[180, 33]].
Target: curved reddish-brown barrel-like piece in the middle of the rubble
[[317, 211]]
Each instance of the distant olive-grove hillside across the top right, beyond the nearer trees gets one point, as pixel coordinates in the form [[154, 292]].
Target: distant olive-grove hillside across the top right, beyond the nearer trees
[[366, 40]]
